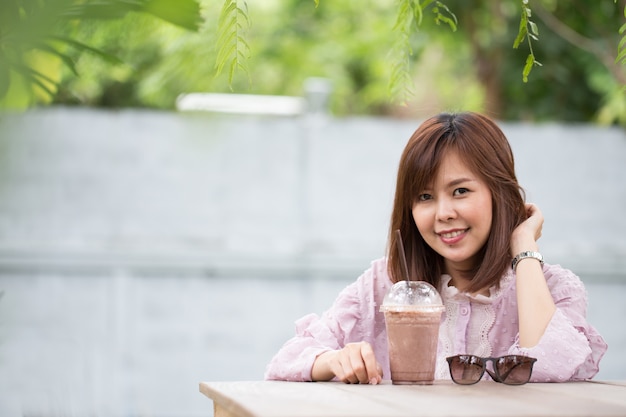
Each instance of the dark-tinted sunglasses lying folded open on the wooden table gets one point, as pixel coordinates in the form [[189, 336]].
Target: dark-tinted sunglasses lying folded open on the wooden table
[[510, 369]]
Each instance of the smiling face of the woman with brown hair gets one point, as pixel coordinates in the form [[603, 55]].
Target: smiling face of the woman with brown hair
[[454, 213]]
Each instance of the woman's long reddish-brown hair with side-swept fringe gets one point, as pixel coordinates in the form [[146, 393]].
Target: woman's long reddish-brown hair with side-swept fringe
[[486, 151]]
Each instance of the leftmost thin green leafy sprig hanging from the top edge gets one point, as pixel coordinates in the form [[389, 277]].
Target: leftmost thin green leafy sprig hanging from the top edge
[[233, 49]]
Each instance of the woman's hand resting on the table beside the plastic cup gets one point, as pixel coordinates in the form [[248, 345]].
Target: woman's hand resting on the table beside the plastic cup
[[354, 364]]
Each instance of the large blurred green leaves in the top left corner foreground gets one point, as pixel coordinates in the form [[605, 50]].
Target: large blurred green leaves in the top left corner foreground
[[38, 39]]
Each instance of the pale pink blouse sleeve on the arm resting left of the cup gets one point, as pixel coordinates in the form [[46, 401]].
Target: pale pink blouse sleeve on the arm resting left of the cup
[[315, 335]]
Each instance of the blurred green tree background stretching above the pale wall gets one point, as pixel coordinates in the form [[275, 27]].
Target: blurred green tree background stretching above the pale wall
[[281, 43]]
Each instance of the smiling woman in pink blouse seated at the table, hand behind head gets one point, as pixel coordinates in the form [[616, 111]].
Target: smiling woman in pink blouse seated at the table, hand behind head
[[466, 230]]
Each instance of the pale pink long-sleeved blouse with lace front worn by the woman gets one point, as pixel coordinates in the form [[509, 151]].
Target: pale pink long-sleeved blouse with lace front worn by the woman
[[570, 348]]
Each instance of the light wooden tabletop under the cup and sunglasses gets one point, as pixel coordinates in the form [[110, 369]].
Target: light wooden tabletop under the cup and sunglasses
[[443, 398]]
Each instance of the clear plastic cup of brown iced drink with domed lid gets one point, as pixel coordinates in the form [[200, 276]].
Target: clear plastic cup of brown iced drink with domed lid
[[412, 315]]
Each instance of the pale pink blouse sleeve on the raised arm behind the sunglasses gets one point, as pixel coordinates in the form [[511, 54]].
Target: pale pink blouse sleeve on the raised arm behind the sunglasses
[[570, 348]]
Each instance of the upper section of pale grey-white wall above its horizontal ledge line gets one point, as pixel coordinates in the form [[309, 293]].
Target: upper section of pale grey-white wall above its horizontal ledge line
[[217, 192]]
